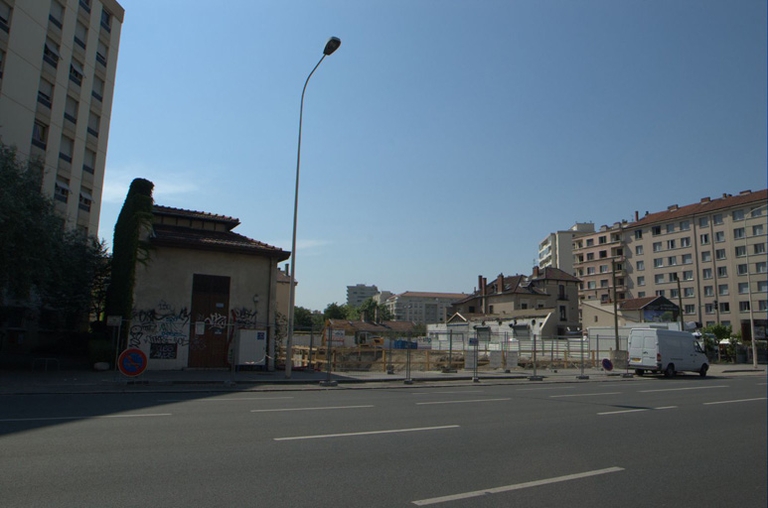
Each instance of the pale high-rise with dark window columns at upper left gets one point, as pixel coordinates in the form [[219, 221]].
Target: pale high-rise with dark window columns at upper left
[[57, 75]]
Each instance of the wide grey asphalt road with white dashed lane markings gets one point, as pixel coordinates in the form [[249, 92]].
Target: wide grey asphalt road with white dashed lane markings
[[641, 442]]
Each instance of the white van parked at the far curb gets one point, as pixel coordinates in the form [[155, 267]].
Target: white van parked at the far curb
[[666, 351]]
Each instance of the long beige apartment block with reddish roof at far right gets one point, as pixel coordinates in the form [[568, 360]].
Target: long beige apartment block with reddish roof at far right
[[710, 256]]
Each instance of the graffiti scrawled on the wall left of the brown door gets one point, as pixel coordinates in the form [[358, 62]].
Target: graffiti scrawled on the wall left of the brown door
[[161, 325]]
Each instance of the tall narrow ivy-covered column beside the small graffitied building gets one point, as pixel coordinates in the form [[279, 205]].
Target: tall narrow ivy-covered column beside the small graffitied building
[[128, 249]]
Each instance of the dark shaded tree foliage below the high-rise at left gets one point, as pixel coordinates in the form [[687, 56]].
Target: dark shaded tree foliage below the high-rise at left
[[41, 264]]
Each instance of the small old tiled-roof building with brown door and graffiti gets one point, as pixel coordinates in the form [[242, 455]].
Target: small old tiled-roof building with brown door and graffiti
[[207, 296]]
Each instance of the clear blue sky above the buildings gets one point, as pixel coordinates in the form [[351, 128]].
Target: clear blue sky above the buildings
[[444, 139]]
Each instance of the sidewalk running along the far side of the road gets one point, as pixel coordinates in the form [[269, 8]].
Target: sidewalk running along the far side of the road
[[82, 382]]
